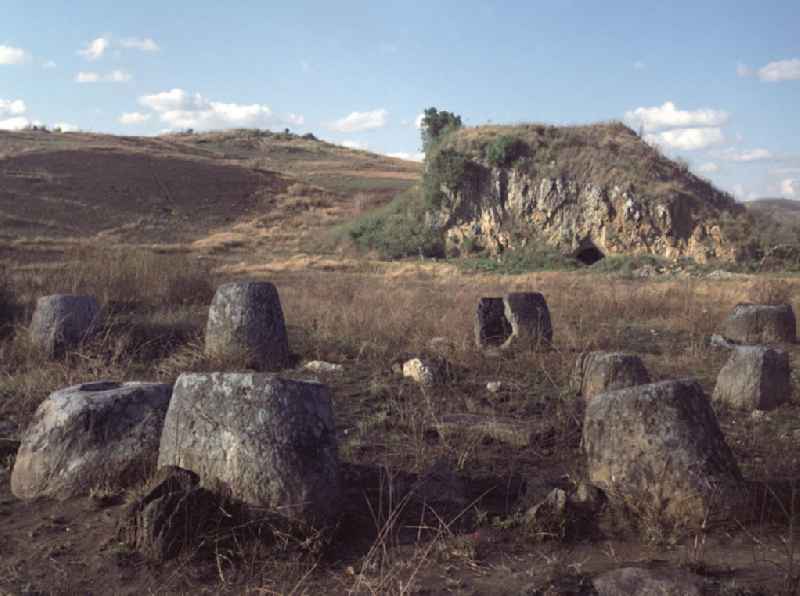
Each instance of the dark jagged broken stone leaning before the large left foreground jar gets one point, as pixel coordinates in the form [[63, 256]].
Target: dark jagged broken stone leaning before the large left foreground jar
[[172, 514]]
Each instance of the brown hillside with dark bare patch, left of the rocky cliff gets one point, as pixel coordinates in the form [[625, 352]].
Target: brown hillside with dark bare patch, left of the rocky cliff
[[221, 191]]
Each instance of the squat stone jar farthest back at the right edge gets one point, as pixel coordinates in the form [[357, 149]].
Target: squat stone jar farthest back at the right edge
[[760, 324]]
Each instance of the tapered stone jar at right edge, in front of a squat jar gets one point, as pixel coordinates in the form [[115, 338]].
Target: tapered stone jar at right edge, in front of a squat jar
[[755, 378]]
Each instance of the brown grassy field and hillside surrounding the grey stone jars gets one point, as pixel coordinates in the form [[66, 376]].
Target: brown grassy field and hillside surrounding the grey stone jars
[[152, 226]]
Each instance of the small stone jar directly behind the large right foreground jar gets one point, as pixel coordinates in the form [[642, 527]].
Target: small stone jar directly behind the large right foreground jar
[[599, 372]]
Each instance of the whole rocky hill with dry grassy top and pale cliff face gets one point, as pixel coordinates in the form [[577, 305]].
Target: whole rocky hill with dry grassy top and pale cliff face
[[588, 191]]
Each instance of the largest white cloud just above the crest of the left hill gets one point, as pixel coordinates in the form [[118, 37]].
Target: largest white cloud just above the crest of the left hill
[[180, 110]]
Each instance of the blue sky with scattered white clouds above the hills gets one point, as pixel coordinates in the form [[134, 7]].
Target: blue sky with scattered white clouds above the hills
[[717, 83]]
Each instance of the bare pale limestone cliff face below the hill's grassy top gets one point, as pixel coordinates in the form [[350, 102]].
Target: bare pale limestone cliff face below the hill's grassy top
[[499, 208]]
